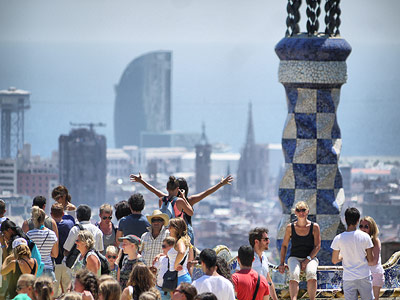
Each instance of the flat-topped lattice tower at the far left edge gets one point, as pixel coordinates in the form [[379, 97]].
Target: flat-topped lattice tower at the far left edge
[[13, 104]]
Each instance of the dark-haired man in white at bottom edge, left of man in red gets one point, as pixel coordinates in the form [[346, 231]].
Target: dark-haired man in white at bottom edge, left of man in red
[[211, 281]]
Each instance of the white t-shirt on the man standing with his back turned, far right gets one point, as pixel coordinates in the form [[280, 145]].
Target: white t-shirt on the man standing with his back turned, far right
[[352, 246]]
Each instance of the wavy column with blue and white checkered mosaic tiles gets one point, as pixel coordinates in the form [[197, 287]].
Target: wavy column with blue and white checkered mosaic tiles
[[312, 69]]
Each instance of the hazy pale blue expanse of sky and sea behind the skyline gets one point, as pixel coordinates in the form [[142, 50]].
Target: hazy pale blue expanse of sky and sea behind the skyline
[[70, 54]]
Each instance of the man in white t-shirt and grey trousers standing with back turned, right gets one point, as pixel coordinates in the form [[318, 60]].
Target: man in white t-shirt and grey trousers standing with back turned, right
[[354, 248]]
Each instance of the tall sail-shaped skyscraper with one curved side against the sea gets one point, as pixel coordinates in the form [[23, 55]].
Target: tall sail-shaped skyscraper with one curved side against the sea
[[143, 98]]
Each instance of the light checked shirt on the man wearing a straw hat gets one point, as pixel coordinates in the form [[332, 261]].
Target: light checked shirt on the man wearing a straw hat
[[151, 246]]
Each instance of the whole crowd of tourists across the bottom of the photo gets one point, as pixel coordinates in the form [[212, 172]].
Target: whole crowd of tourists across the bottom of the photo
[[67, 256]]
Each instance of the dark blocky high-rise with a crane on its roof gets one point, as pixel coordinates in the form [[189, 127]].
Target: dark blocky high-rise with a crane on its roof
[[83, 166]]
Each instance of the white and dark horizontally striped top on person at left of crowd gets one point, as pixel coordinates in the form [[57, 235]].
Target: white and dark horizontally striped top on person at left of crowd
[[44, 244]]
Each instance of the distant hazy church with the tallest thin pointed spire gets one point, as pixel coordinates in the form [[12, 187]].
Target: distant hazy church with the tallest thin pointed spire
[[252, 176]]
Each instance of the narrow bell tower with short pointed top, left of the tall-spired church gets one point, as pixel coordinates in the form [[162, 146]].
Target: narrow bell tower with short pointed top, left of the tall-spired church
[[203, 163]]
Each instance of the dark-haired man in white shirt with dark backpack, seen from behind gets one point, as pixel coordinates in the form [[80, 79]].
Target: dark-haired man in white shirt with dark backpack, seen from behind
[[83, 214]]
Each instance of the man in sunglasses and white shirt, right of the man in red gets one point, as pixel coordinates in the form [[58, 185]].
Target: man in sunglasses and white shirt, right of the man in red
[[259, 240]]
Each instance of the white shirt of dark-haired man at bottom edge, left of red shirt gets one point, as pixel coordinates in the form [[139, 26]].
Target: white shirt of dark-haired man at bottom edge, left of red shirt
[[220, 286]]
